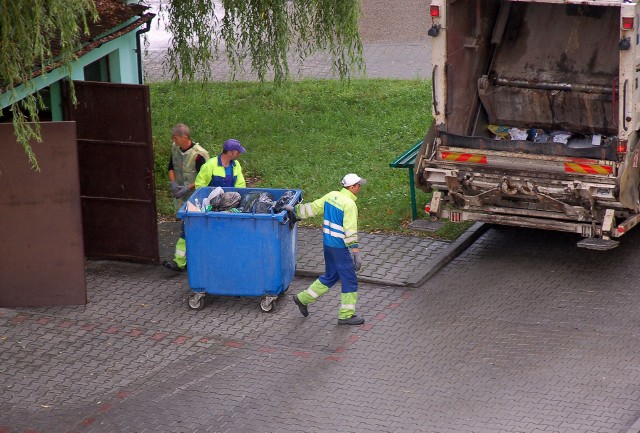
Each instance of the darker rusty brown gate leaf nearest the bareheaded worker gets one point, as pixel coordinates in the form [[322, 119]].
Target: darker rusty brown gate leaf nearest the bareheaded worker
[[115, 157]]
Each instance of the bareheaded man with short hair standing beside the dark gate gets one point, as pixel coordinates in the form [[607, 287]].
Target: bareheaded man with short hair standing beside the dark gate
[[186, 159]]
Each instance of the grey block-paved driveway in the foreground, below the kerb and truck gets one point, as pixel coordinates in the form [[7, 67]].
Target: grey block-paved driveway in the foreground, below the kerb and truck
[[521, 333]]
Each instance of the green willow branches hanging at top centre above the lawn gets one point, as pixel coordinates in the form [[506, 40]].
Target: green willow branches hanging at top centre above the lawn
[[265, 33]]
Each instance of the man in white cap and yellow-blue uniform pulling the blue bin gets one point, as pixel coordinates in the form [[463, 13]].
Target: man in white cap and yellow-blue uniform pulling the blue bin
[[341, 249]]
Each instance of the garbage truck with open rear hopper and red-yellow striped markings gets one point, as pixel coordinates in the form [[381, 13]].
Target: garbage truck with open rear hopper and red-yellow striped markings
[[536, 116]]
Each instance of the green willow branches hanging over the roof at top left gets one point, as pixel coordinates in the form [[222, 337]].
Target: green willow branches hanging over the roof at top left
[[30, 33]]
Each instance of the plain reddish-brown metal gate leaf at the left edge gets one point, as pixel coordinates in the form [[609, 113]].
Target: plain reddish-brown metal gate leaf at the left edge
[[40, 220]]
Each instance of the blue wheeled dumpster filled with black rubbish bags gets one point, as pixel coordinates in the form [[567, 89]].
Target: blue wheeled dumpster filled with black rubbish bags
[[239, 254]]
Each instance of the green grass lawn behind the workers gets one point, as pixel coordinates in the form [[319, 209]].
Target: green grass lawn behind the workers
[[307, 135]]
